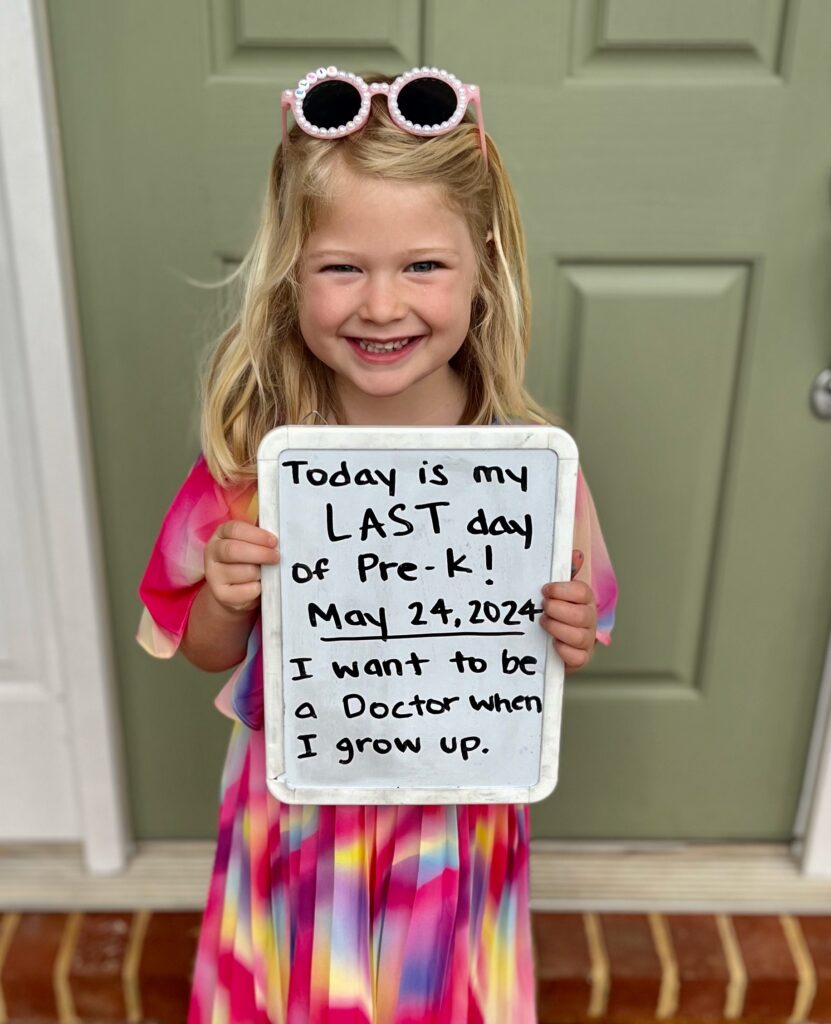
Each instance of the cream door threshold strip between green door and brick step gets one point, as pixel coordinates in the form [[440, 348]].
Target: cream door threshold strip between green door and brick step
[[565, 876]]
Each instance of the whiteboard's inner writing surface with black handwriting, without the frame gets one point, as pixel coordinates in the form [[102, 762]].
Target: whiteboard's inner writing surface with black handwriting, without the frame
[[386, 564]]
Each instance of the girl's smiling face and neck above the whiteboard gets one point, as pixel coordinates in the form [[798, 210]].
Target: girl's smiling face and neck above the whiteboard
[[389, 263]]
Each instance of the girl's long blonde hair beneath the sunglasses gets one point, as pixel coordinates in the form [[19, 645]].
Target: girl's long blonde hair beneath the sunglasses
[[261, 374]]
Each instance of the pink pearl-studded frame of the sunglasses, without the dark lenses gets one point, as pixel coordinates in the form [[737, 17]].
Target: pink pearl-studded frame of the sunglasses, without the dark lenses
[[293, 100]]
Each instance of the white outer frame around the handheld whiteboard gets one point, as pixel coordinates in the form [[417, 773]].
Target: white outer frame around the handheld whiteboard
[[423, 439]]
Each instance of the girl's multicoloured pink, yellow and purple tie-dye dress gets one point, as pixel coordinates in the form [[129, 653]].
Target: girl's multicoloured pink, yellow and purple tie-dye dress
[[343, 915]]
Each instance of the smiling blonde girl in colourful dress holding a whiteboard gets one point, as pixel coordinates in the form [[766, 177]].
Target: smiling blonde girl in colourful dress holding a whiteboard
[[387, 285]]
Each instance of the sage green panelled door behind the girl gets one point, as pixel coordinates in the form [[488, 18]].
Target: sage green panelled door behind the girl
[[673, 167]]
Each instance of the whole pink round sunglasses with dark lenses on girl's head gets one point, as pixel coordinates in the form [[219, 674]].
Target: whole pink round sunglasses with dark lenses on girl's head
[[331, 104]]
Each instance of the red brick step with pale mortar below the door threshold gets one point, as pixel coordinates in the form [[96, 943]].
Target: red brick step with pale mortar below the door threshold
[[136, 966]]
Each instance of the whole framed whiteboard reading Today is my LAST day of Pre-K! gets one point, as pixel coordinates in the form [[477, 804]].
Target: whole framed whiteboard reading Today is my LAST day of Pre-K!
[[405, 662]]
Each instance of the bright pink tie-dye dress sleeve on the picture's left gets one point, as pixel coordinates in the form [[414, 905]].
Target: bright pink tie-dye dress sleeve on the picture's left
[[176, 572]]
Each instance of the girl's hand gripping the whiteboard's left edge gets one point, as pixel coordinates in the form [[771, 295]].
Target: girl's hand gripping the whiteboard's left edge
[[233, 561]]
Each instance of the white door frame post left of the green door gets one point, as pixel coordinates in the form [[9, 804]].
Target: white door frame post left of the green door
[[43, 287]]
